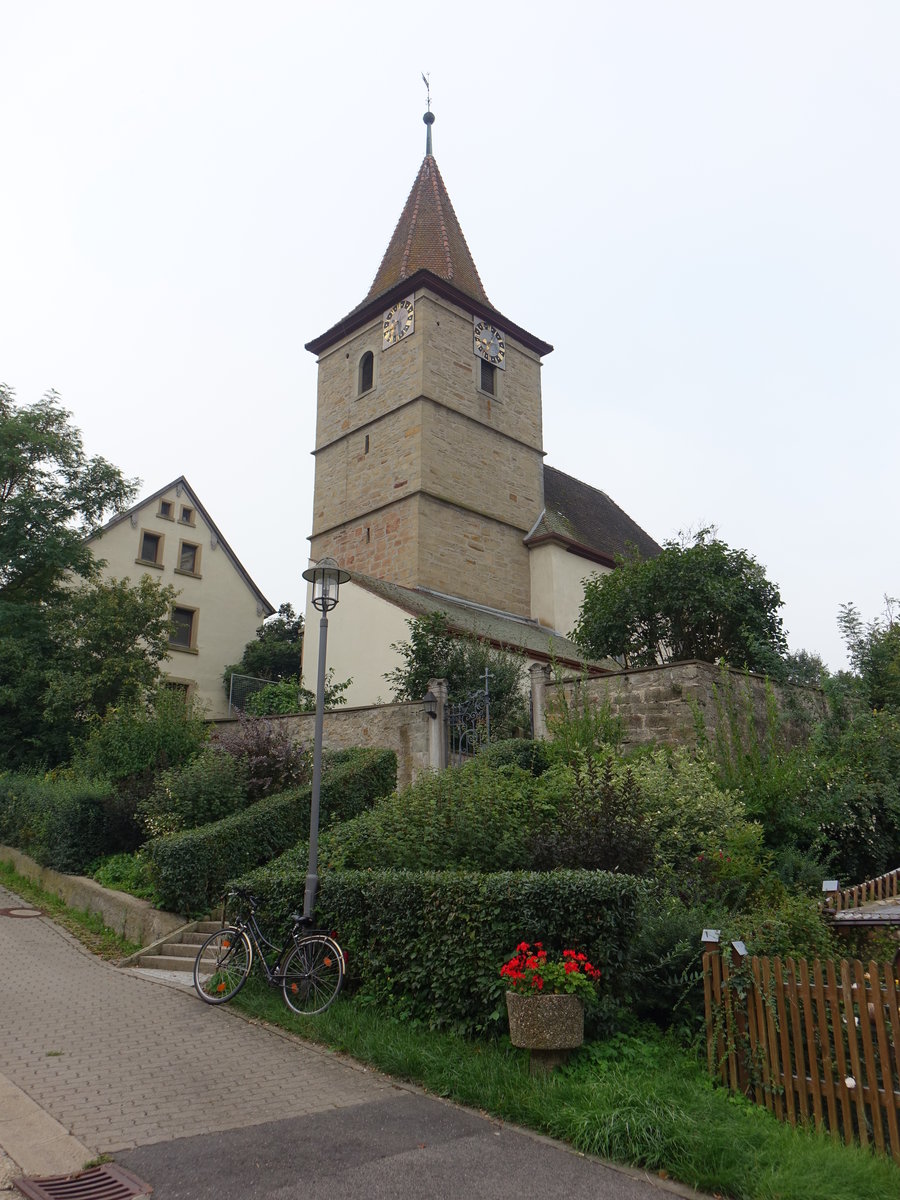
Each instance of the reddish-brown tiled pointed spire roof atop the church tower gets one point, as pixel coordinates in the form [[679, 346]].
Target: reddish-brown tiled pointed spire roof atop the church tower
[[429, 238]]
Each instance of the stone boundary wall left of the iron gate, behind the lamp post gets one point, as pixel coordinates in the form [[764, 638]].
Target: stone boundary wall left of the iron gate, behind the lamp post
[[403, 728]]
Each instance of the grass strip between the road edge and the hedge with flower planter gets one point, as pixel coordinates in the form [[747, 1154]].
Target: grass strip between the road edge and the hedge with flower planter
[[643, 1101]]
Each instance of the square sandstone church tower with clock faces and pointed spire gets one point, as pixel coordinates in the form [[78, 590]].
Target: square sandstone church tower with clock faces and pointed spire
[[429, 447]]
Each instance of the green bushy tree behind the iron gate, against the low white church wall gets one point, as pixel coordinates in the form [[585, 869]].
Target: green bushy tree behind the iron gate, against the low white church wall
[[435, 652]]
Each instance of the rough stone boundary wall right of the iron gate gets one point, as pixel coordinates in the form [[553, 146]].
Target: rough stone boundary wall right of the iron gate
[[665, 704]]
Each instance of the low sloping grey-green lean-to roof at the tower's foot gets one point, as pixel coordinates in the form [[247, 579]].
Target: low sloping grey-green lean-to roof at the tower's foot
[[499, 628]]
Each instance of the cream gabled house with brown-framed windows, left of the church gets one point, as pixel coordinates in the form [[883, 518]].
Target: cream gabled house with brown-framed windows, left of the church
[[171, 537]]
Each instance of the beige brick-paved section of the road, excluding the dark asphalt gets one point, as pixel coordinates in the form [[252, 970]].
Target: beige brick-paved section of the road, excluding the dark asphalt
[[121, 1061]]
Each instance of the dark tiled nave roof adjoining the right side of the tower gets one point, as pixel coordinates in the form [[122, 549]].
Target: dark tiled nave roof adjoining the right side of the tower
[[586, 518]]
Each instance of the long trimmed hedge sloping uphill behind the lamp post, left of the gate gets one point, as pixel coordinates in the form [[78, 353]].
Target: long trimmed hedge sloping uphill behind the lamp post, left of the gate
[[191, 869]]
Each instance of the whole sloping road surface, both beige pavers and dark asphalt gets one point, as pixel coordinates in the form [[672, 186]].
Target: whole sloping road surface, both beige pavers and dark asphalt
[[201, 1103]]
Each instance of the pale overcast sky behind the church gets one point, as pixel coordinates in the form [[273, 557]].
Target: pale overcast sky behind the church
[[695, 203]]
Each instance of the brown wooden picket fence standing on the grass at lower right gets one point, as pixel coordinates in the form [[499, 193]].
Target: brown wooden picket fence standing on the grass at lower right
[[815, 1045]]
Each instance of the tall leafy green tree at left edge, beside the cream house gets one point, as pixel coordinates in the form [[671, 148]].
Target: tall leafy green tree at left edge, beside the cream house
[[65, 653]]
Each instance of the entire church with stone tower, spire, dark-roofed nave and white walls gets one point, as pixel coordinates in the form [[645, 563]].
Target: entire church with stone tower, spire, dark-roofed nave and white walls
[[430, 475]]
